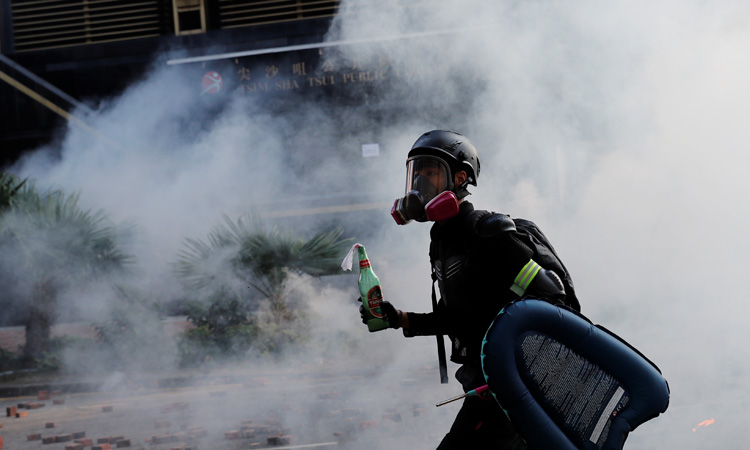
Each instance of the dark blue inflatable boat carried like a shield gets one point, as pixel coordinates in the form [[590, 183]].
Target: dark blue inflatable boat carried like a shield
[[565, 383]]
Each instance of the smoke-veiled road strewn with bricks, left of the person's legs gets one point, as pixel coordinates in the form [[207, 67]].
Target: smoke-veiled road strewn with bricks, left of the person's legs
[[314, 410]]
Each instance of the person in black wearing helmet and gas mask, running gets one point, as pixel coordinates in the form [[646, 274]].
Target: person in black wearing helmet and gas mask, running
[[480, 264]]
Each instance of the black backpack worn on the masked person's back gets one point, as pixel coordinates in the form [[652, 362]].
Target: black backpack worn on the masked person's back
[[544, 253]]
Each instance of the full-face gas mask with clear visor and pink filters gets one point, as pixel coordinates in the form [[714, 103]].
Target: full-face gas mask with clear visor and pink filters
[[429, 193]]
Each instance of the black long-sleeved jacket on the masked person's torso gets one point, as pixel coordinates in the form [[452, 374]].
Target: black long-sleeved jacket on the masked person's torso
[[475, 269]]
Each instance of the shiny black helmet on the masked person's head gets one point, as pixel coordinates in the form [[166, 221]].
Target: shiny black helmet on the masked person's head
[[455, 149]]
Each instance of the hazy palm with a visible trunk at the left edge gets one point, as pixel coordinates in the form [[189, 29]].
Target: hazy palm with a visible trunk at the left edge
[[49, 239]]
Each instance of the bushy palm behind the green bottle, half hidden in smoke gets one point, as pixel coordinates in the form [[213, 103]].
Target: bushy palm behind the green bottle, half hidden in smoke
[[260, 258]]
